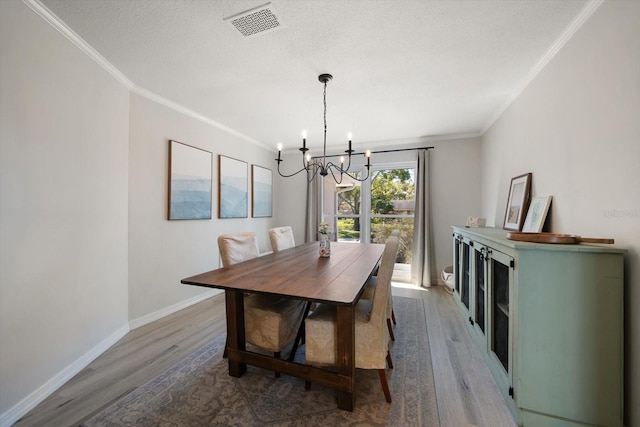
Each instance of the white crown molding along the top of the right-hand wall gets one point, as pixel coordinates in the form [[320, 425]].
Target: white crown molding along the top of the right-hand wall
[[566, 35]]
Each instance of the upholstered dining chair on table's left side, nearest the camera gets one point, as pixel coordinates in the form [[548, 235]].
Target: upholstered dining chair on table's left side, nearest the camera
[[271, 323]]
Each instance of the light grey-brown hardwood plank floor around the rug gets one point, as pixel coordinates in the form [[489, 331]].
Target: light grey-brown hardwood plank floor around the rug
[[465, 392]]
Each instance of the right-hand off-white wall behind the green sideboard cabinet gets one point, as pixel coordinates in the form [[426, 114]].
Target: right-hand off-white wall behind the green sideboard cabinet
[[576, 127]]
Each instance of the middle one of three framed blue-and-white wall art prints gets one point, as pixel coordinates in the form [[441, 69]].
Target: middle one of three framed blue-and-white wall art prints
[[232, 188]]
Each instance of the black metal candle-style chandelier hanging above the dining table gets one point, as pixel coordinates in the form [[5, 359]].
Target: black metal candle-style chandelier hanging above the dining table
[[320, 164]]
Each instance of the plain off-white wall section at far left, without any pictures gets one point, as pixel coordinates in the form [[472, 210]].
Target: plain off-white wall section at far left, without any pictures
[[63, 207]]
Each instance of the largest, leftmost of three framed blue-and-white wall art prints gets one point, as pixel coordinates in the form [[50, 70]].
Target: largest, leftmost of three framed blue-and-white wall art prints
[[190, 185]]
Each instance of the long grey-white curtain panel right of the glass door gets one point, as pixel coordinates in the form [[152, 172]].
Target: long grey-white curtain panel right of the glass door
[[422, 268]]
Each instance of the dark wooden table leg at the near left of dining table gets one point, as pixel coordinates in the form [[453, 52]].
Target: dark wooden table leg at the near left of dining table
[[235, 330]]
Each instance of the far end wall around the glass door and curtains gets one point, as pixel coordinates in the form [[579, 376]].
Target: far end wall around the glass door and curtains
[[455, 186]]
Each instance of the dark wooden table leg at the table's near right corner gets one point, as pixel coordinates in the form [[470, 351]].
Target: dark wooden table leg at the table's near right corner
[[346, 354]]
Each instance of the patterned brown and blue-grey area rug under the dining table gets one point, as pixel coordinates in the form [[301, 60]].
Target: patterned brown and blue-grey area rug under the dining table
[[198, 391]]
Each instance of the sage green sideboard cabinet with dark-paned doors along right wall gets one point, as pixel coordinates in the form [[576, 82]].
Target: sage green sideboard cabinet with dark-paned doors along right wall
[[548, 320]]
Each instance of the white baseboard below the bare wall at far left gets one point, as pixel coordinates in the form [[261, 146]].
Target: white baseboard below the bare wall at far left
[[41, 393]]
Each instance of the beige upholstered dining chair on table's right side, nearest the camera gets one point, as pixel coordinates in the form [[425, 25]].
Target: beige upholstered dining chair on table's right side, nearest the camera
[[372, 341]]
